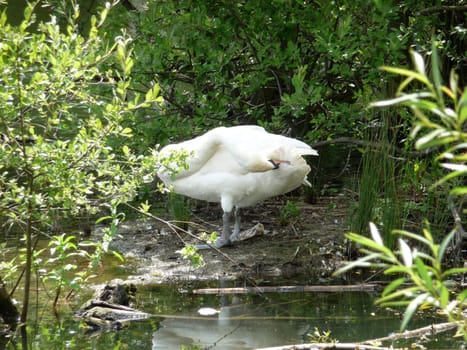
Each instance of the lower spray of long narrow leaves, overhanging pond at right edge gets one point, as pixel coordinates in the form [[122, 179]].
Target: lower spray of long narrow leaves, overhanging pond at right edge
[[423, 282]]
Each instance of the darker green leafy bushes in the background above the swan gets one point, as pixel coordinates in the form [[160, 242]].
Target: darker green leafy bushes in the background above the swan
[[294, 64]]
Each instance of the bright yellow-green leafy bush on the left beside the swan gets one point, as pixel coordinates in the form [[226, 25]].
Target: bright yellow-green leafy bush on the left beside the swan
[[64, 101]]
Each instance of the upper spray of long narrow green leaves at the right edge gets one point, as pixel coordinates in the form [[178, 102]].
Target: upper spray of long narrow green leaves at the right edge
[[441, 113]]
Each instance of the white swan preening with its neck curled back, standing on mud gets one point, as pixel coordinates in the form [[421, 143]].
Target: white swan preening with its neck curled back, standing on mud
[[238, 167]]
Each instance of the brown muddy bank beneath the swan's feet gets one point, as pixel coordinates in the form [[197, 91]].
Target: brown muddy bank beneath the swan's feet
[[306, 250]]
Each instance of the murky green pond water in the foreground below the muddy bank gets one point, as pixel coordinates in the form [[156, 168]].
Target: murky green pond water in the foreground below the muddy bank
[[242, 322]]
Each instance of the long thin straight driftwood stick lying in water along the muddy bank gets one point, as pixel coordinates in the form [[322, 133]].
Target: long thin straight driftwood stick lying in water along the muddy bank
[[288, 289]]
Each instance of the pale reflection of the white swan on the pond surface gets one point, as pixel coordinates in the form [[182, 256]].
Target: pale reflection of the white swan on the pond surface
[[239, 325]]
